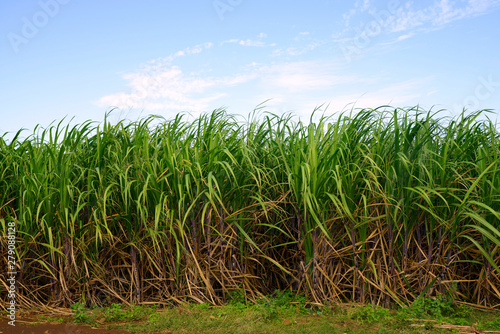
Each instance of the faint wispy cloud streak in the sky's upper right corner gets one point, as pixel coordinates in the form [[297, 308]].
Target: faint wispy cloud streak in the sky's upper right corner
[[395, 22]]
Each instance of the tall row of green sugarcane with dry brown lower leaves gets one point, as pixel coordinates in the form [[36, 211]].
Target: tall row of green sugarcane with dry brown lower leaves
[[374, 206]]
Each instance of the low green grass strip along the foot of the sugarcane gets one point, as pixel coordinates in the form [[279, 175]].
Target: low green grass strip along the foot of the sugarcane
[[285, 313]]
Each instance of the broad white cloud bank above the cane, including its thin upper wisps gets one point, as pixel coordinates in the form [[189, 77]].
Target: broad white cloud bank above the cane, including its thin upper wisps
[[161, 85]]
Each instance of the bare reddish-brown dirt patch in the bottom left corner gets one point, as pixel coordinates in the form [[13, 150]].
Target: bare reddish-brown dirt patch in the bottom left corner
[[52, 328]]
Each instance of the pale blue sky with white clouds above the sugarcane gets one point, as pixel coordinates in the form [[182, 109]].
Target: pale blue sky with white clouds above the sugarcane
[[79, 59]]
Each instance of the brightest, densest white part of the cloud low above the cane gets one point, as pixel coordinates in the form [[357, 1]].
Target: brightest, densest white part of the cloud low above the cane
[[159, 85]]
